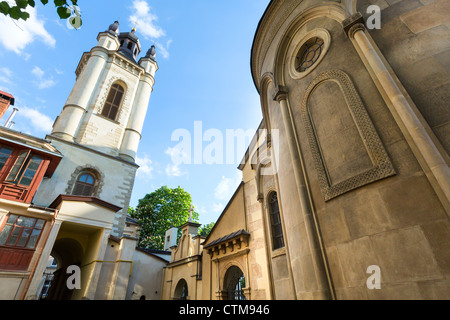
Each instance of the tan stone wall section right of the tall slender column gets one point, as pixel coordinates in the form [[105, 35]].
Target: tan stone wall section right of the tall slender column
[[415, 39]]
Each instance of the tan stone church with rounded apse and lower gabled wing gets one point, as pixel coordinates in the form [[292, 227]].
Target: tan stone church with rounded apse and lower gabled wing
[[345, 193]]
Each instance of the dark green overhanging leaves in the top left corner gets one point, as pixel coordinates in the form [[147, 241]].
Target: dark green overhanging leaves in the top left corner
[[63, 8]]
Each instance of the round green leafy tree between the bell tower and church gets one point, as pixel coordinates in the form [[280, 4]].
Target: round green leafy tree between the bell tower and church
[[159, 211]]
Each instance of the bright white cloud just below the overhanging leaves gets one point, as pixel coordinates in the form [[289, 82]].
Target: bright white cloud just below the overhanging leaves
[[16, 35]]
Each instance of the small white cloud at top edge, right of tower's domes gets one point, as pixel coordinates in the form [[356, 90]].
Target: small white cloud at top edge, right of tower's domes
[[145, 20]]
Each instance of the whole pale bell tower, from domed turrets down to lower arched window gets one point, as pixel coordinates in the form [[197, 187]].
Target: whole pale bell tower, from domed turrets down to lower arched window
[[99, 128]]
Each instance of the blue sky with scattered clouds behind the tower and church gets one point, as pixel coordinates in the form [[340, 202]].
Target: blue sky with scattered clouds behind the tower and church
[[203, 52]]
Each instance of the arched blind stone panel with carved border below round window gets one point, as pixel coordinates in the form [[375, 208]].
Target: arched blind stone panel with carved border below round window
[[372, 161]]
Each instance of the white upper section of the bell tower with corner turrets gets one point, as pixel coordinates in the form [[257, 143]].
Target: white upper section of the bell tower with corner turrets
[[108, 103]]
